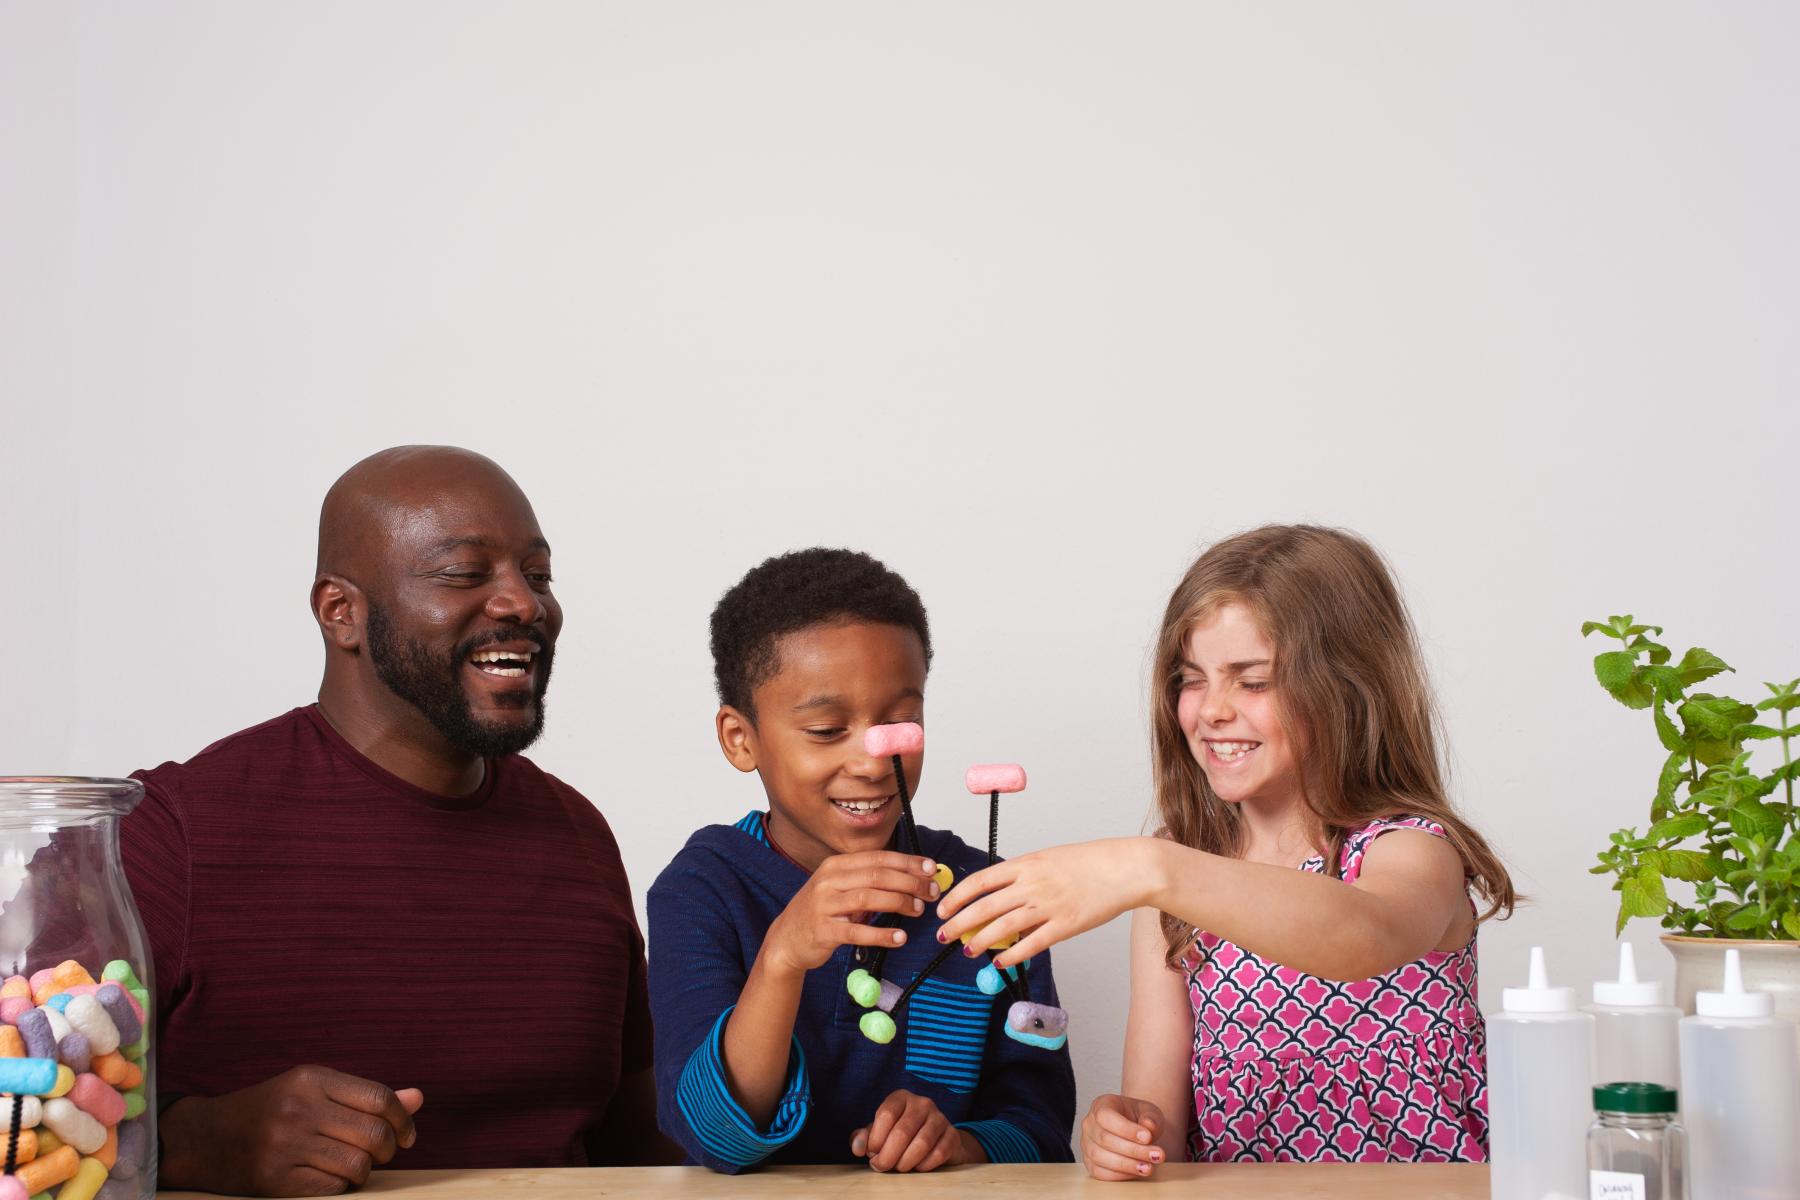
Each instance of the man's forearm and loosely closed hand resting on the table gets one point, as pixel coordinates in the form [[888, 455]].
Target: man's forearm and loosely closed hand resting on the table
[[307, 1133]]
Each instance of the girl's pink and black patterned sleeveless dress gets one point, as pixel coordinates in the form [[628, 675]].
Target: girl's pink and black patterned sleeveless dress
[[1291, 1068]]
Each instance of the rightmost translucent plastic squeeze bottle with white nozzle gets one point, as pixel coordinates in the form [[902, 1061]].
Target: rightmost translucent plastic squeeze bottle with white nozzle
[[1741, 1095]]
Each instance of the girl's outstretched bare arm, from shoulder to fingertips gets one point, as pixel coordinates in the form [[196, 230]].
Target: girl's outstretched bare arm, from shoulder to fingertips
[[1408, 900]]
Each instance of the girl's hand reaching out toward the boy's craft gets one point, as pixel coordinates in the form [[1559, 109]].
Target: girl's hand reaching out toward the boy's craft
[[1050, 895]]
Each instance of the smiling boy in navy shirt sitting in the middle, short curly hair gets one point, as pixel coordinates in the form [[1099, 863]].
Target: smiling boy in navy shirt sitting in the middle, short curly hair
[[755, 927]]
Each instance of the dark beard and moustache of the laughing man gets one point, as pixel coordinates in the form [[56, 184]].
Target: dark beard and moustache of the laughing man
[[435, 688]]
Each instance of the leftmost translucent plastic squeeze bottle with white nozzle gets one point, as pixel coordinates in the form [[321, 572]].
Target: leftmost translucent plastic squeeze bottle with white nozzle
[[1540, 1098]]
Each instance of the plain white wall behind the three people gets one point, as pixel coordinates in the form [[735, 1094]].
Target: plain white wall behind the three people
[[1029, 300]]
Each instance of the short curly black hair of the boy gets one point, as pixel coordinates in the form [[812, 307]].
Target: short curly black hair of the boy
[[796, 591]]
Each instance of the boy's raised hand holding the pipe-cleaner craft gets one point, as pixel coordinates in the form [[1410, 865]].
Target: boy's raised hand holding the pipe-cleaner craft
[[823, 915]]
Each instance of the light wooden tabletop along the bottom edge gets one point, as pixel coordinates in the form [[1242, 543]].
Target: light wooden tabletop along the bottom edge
[[1284, 1181]]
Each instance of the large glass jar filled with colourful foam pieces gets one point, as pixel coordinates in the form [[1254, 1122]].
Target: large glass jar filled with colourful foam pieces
[[78, 1082]]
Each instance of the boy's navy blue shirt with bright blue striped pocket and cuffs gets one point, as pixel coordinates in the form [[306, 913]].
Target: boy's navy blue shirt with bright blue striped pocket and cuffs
[[710, 911]]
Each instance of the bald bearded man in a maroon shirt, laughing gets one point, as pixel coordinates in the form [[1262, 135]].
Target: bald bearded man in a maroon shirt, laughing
[[381, 935]]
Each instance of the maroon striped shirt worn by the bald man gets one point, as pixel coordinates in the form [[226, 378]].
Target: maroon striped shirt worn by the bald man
[[309, 908]]
